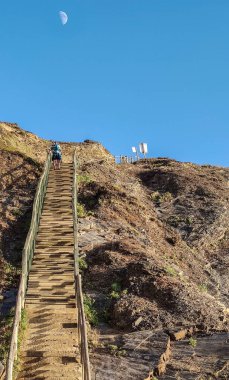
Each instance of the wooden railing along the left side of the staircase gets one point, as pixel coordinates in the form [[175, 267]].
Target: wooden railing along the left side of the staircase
[[27, 257]]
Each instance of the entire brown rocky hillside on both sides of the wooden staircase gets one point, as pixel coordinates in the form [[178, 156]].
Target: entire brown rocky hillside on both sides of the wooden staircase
[[154, 241]]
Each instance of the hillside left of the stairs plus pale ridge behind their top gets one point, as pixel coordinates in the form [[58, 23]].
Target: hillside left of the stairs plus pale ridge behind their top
[[22, 155]]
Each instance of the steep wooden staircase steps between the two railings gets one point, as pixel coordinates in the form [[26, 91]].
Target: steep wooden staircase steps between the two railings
[[50, 346]]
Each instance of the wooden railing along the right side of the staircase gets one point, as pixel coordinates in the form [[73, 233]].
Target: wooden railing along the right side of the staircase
[[82, 326]]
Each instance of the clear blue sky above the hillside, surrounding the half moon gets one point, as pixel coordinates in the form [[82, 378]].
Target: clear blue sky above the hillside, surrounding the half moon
[[120, 72]]
